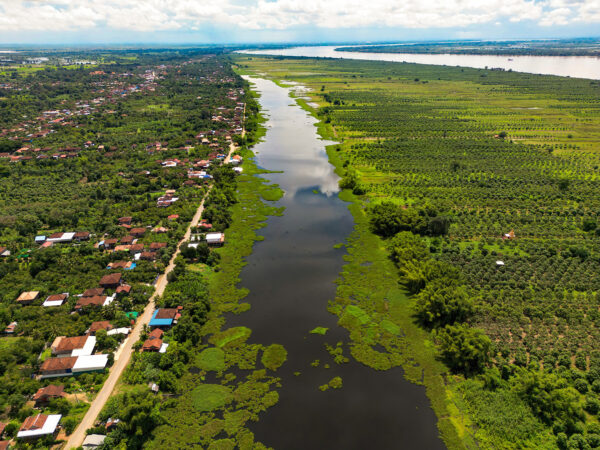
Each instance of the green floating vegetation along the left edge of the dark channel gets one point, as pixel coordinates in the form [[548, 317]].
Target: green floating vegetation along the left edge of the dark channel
[[228, 382]]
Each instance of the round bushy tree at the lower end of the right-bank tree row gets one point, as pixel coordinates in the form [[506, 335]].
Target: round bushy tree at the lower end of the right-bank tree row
[[464, 349]]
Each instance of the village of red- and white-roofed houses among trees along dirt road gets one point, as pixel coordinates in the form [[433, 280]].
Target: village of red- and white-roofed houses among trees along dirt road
[[137, 250]]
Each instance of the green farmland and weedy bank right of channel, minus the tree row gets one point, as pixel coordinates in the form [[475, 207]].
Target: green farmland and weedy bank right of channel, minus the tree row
[[493, 152]]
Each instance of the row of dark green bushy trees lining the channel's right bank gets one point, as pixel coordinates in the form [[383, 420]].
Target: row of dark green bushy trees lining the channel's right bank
[[442, 301]]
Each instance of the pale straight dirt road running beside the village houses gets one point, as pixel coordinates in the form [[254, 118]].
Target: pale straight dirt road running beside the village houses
[[77, 437]]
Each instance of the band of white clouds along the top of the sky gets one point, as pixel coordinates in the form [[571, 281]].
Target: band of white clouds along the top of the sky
[[153, 15]]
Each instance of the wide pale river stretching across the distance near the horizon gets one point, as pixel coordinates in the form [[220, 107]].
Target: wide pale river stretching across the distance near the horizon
[[566, 66]]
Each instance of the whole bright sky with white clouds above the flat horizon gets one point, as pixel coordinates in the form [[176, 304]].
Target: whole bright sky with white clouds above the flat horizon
[[71, 22]]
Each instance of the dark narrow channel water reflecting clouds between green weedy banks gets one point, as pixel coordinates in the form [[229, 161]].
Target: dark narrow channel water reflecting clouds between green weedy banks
[[291, 277]]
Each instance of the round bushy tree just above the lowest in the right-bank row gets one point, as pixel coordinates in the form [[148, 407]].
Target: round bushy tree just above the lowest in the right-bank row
[[440, 304]]
